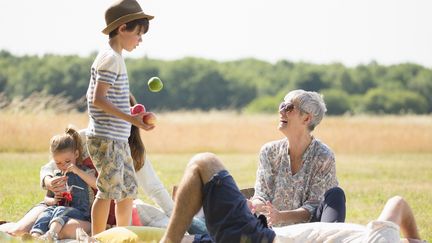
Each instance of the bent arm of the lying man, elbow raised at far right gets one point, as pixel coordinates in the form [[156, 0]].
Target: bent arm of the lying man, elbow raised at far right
[[398, 211]]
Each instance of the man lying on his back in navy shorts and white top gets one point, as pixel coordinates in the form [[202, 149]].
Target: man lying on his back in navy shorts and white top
[[229, 218]]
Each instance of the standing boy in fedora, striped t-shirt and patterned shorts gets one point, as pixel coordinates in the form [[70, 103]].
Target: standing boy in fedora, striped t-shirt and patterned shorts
[[109, 116]]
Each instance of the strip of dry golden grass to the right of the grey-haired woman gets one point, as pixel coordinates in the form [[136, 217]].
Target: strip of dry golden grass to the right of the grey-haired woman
[[377, 134]]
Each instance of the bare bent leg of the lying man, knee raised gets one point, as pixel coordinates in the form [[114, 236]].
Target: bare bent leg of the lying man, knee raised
[[188, 201]]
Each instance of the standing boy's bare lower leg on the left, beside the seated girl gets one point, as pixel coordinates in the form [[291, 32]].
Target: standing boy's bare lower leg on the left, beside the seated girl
[[100, 211]]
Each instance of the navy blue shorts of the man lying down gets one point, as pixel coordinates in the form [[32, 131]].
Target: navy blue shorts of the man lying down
[[228, 218]]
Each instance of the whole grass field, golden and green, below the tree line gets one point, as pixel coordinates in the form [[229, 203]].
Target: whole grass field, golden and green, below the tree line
[[377, 157]]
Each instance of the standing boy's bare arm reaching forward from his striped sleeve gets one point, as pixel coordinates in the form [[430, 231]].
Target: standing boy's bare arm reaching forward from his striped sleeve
[[100, 100]]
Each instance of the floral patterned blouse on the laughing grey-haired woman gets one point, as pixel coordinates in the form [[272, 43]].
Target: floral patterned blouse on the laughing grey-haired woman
[[306, 188]]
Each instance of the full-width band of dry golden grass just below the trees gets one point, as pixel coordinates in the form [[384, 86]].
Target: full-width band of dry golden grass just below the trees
[[230, 132]]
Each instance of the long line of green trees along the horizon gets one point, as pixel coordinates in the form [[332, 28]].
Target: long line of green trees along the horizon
[[246, 85]]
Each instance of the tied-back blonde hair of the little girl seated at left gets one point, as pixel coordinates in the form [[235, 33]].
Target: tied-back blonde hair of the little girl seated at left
[[69, 141]]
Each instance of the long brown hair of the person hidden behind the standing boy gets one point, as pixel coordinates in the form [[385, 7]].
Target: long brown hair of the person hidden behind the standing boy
[[136, 145]]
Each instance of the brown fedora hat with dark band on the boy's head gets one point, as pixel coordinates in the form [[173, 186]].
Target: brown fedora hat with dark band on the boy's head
[[122, 12]]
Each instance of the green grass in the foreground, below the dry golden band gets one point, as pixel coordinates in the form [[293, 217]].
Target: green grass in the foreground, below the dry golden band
[[368, 180]]
